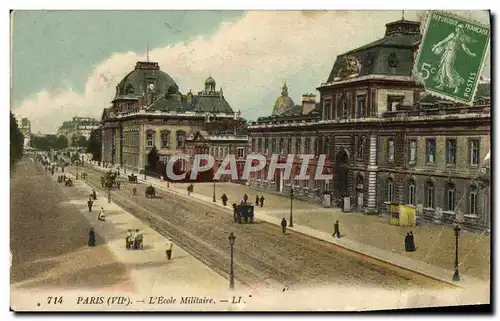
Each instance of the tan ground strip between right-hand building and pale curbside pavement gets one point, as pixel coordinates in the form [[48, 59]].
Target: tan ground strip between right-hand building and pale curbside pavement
[[435, 244]]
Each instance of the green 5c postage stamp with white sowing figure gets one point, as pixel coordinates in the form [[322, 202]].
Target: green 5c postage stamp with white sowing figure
[[451, 56]]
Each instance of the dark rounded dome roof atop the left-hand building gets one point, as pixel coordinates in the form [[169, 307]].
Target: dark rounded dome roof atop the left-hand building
[[139, 80]]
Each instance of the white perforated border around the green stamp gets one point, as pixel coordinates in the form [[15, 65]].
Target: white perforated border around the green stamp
[[416, 74]]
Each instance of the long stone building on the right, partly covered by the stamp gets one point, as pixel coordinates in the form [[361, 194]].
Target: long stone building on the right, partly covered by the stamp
[[386, 141]]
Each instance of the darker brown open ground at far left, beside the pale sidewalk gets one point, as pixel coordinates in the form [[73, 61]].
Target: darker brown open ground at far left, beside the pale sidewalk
[[48, 239]]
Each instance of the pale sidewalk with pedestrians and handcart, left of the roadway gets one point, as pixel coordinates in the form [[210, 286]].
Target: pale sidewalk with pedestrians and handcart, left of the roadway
[[149, 268]]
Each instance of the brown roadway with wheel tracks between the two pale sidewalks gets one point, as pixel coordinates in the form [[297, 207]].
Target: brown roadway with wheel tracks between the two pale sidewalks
[[263, 255]]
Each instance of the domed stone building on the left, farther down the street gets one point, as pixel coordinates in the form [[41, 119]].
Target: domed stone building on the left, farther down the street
[[148, 111]]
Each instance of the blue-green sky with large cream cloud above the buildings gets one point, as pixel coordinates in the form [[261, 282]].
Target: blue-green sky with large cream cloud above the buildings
[[68, 63]]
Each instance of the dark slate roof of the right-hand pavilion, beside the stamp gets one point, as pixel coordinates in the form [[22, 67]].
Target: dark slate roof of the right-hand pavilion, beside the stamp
[[391, 55]]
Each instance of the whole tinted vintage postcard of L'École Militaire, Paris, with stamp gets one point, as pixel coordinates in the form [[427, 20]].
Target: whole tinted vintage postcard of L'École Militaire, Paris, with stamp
[[249, 160]]
